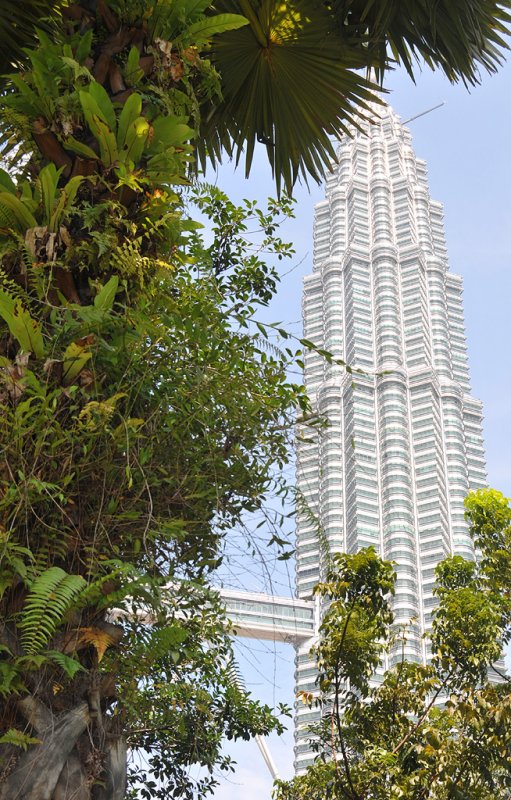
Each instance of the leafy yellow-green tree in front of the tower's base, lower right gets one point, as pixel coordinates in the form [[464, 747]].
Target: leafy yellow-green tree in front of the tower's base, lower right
[[438, 731]]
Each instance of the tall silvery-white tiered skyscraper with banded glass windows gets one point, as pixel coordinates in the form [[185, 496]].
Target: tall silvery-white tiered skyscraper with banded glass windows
[[403, 444]]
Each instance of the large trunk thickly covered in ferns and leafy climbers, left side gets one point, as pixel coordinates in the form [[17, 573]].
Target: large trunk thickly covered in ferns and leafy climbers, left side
[[140, 415]]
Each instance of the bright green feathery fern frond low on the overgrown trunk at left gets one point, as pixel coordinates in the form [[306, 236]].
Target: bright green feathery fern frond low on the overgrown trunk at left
[[51, 596]]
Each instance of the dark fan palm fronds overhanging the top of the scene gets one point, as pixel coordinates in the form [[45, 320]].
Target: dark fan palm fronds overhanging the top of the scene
[[289, 79]]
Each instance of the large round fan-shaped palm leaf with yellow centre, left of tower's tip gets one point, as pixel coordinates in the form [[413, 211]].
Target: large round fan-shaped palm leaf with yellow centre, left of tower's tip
[[288, 81]]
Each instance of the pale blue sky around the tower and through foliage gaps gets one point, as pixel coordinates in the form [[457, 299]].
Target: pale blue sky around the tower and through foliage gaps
[[467, 147]]
